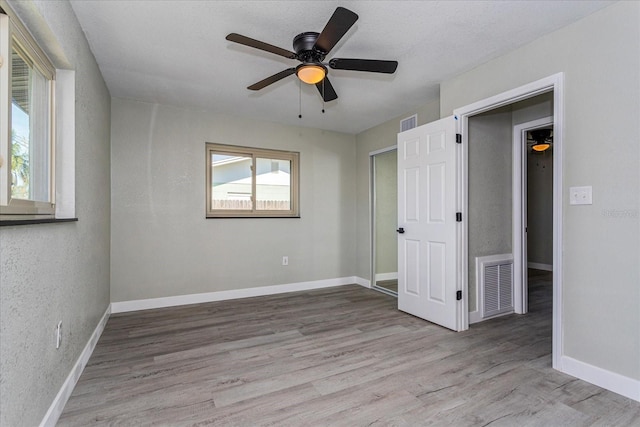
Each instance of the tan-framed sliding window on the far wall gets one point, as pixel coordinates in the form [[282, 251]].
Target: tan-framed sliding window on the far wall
[[251, 182]]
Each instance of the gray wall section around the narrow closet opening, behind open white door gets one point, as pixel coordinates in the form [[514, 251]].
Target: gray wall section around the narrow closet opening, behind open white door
[[376, 138]]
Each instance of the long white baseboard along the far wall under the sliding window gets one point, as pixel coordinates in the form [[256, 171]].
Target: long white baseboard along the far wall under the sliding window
[[151, 303]]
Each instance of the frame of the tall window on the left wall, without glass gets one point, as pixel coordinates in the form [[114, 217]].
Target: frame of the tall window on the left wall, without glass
[[13, 31]]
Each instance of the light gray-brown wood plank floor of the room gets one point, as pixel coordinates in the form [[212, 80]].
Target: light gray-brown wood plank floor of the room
[[334, 357]]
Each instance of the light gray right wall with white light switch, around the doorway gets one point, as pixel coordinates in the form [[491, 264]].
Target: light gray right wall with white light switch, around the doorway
[[601, 254]]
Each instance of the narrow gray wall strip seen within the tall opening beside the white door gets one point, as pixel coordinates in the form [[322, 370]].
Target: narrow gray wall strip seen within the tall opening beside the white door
[[386, 179]]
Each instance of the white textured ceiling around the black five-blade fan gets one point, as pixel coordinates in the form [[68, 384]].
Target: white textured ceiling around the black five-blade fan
[[175, 52]]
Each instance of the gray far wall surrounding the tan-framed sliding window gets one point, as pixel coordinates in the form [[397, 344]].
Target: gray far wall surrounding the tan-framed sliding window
[[163, 245]]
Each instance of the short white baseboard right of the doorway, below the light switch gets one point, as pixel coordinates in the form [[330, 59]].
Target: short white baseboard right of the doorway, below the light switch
[[611, 381]]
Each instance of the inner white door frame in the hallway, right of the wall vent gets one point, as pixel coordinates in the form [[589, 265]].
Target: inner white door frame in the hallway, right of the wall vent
[[520, 156]]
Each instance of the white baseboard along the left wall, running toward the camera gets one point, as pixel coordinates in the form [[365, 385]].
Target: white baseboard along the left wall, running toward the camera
[[55, 410]]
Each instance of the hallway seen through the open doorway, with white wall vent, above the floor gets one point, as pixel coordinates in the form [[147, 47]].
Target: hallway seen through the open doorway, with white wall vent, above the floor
[[503, 172]]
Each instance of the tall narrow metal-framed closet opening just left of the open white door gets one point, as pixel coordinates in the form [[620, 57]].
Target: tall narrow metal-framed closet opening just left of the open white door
[[384, 216]]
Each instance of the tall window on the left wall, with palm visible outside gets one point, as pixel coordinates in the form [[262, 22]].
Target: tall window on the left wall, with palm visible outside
[[27, 124]]
